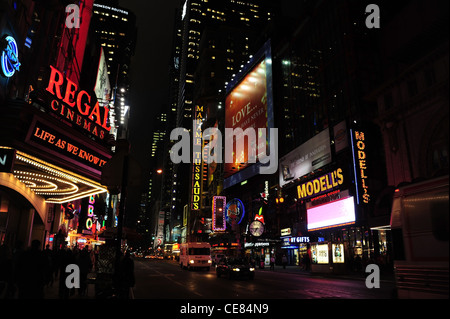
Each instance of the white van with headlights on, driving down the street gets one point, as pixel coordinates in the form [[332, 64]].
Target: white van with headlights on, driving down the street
[[195, 255]]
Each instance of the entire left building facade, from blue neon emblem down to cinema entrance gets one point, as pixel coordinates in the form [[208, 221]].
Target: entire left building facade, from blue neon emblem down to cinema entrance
[[56, 130]]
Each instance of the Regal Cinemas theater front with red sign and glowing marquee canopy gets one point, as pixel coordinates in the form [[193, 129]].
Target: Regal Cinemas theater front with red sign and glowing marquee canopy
[[51, 165]]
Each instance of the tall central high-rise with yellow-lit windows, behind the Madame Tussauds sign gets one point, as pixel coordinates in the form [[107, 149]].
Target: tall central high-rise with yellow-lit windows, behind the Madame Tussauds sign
[[215, 39]]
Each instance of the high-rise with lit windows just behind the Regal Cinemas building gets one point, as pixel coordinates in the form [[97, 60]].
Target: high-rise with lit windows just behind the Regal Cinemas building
[[115, 30]]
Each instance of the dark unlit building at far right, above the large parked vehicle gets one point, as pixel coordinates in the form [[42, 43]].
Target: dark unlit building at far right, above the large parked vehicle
[[412, 98]]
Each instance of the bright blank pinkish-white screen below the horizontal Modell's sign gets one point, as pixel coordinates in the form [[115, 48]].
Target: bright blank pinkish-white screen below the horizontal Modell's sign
[[337, 213]]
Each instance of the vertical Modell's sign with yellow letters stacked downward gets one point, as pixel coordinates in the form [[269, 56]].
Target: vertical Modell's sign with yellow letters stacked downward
[[360, 165]]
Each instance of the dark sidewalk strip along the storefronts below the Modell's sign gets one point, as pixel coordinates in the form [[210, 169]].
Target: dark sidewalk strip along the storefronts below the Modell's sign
[[299, 271]]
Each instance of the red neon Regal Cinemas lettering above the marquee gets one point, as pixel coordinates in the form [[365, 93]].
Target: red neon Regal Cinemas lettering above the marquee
[[75, 105]]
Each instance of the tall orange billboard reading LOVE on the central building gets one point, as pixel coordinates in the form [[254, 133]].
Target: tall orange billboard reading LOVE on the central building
[[249, 105]]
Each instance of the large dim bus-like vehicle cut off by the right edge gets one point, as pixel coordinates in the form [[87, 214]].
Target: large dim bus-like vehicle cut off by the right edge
[[420, 239]]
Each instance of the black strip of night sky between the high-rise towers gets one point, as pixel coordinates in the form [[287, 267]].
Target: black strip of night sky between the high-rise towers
[[149, 78]]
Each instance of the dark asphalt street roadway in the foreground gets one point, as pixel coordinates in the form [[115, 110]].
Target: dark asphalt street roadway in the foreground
[[164, 279]]
